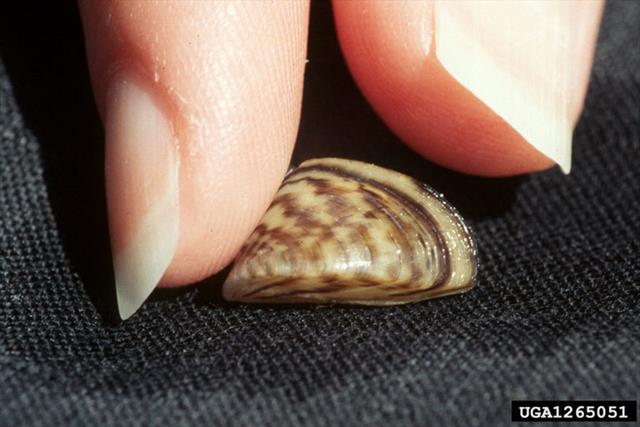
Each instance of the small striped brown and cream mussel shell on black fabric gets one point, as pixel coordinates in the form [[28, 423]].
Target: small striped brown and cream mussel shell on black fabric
[[343, 231]]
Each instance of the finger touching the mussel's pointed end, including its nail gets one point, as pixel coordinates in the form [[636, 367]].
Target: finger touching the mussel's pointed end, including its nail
[[200, 102]]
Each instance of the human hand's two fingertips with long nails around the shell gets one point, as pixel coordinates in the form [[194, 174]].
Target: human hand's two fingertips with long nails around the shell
[[201, 103]]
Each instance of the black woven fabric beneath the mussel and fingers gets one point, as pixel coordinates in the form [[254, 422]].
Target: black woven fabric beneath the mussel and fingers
[[554, 315]]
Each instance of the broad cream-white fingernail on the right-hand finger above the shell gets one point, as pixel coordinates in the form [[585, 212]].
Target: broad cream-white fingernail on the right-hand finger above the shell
[[515, 57]]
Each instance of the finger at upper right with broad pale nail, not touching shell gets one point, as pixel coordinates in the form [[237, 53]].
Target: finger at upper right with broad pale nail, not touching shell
[[490, 88]]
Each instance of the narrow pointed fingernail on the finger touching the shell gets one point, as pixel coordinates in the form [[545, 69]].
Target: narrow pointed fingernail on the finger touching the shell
[[141, 164]]
